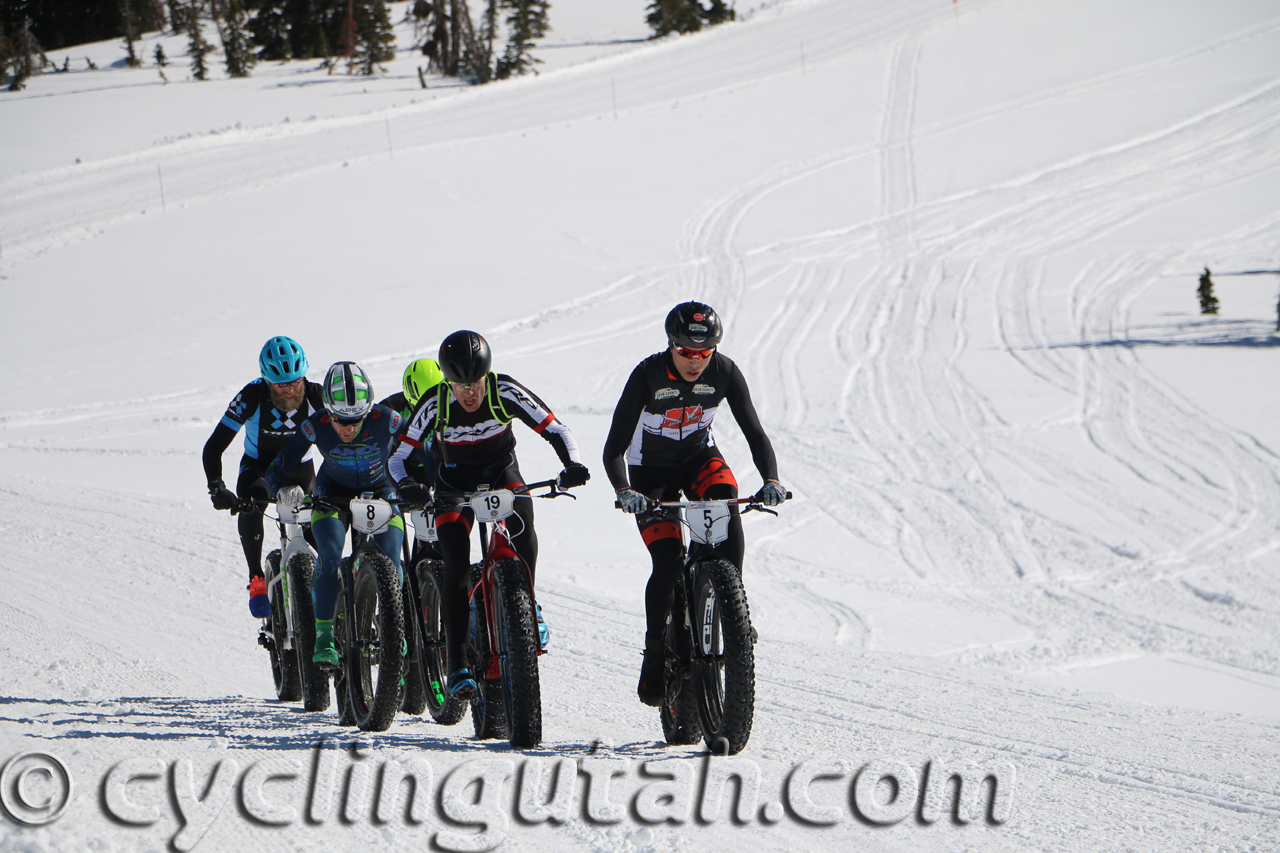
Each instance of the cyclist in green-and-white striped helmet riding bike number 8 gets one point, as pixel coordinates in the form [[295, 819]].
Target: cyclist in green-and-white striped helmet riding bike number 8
[[354, 436]]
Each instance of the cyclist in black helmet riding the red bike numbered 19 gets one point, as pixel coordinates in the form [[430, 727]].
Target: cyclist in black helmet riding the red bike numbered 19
[[469, 423]]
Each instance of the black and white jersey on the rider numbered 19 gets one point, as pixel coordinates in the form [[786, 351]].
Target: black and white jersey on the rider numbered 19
[[481, 439]]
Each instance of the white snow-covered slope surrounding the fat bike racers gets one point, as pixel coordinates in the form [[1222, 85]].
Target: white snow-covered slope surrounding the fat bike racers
[[957, 245]]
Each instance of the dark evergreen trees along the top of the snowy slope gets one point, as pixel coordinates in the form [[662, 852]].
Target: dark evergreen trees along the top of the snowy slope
[[359, 31]]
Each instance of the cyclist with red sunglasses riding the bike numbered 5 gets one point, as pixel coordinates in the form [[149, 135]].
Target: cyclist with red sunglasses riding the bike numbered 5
[[661, 444]]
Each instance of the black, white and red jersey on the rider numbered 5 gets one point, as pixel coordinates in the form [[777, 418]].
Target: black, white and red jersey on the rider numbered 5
[[662, 421]]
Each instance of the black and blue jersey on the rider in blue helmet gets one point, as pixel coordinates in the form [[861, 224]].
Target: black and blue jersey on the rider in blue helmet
[[267, 428]]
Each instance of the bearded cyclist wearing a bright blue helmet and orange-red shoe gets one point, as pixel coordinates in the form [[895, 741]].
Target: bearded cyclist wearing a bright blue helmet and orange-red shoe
[[271, 408]]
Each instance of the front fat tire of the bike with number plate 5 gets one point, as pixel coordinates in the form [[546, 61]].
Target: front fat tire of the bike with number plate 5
[[725, 682]]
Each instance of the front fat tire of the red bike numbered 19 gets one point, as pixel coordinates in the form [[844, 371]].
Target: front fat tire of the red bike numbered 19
[[518, 638]]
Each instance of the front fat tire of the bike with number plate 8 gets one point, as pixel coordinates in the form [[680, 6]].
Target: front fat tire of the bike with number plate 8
[[380, 622]]
